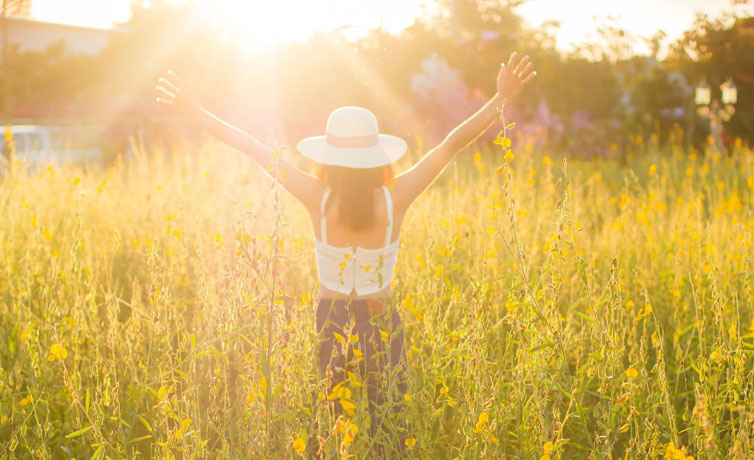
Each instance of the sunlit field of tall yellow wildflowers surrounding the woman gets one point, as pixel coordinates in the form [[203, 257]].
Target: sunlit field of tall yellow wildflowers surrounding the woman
[[164, 308]]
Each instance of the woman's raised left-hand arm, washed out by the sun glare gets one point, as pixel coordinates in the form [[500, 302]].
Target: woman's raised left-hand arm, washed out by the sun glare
[[172, 91]]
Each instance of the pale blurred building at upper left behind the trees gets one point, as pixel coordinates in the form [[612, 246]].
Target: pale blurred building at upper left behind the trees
[[32, 35]]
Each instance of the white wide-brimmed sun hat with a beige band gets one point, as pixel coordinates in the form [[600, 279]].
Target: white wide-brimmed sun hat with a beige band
[[352, 140]]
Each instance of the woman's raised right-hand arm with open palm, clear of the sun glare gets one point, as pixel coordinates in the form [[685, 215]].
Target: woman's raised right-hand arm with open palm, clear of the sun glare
[[510, 82]]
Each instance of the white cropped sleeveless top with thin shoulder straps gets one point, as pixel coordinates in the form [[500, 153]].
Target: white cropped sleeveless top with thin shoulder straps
[[363, 270]]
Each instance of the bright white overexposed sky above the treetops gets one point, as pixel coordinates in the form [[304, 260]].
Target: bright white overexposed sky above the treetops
[[259, 22]]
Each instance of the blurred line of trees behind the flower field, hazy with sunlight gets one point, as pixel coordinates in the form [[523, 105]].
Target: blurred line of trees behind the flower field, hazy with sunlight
[[584, 102]]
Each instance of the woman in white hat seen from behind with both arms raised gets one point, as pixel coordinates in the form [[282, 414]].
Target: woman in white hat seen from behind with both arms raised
[[357, 220]]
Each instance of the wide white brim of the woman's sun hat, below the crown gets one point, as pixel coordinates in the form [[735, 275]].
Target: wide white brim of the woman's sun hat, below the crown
[[387, 150]]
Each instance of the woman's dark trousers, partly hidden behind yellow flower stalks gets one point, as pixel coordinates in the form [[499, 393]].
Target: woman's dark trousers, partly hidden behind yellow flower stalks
[[378, 358]]
